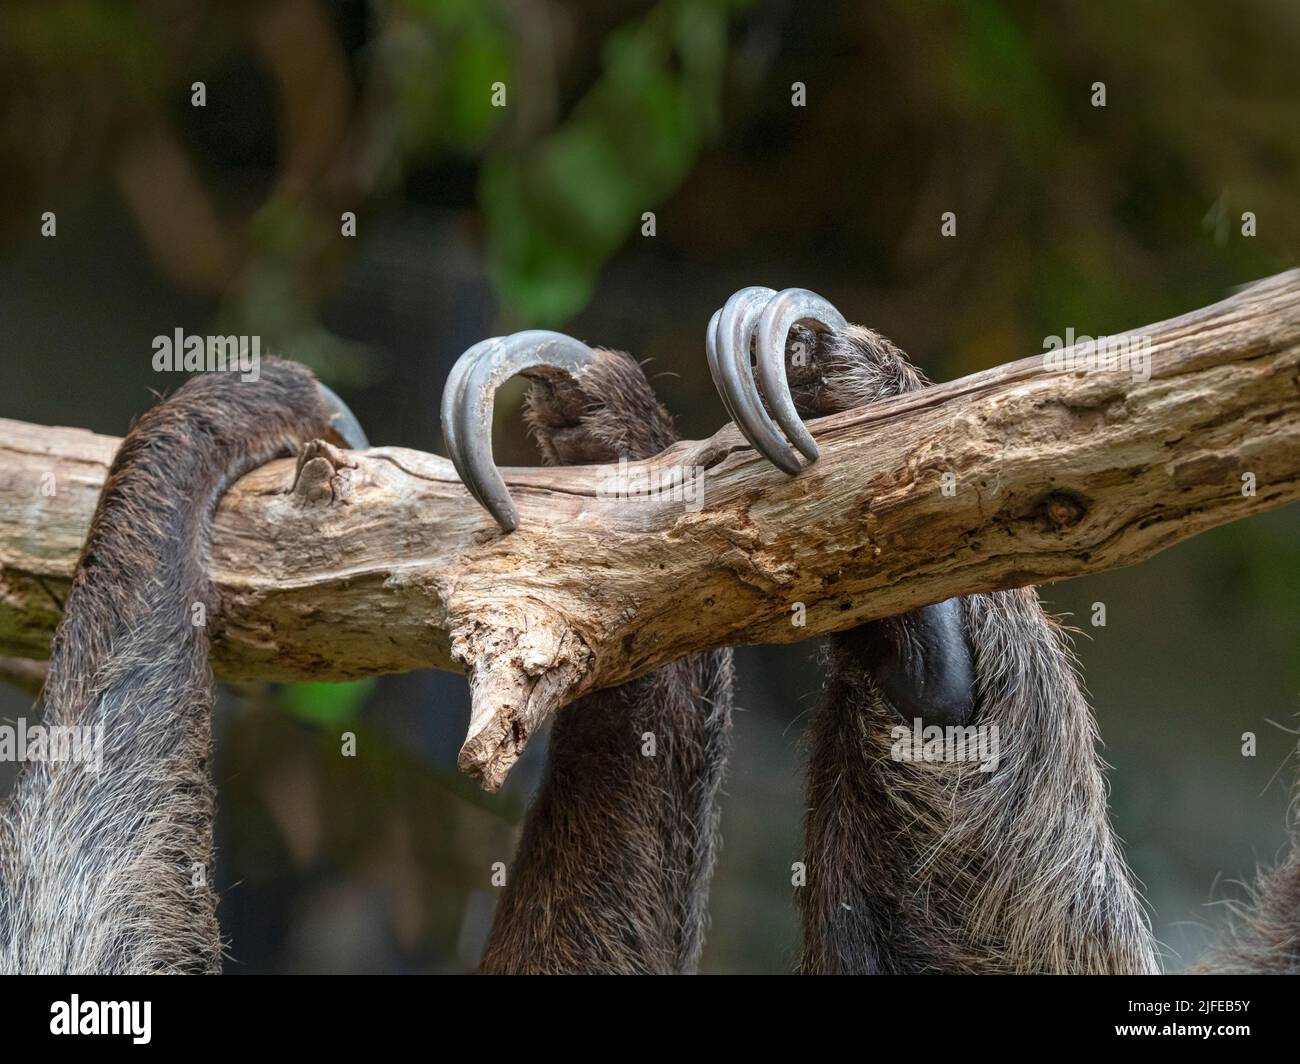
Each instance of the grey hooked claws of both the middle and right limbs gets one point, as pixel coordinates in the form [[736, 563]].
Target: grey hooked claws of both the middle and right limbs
[[755, 318]]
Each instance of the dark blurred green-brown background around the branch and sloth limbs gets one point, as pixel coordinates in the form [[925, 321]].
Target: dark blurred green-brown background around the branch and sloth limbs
[[473, 220]]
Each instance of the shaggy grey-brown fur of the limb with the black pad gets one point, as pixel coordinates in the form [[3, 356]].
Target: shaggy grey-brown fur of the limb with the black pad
[[938, 867]]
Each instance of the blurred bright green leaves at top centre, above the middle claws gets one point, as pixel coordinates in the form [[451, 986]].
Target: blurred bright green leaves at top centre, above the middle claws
[[561, 207]]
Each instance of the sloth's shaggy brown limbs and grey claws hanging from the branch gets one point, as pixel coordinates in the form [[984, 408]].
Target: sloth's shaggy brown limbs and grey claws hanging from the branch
[[913, 867]]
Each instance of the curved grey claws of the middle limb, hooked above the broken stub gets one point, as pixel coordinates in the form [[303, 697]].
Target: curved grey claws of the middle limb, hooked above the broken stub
[[467, 406]]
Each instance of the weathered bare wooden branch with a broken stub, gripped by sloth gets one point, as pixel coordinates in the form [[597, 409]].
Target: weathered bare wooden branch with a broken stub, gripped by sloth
[[1024, 474]]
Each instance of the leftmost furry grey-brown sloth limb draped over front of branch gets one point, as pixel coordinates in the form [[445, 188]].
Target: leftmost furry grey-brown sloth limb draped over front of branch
[[111, 872]]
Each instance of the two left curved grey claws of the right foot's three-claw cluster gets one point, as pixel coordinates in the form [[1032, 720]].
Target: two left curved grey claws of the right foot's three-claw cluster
[[731, 332]]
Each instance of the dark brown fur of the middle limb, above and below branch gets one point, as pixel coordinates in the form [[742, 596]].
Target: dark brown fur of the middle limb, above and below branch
[[614, 866]]
